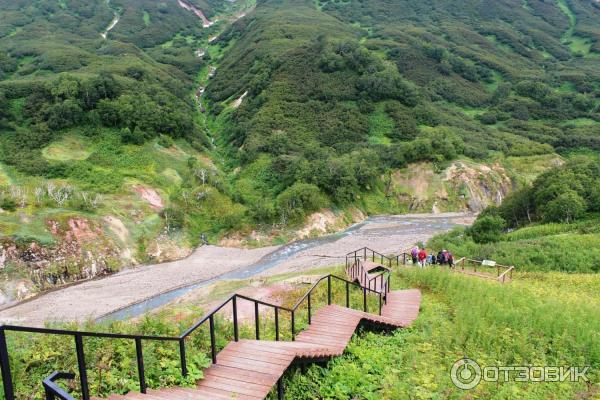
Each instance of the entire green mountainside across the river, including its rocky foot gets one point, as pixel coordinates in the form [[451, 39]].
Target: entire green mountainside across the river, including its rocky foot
[[128, 128]]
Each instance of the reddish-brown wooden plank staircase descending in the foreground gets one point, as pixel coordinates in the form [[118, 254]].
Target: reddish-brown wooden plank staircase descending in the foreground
[[249, 369]]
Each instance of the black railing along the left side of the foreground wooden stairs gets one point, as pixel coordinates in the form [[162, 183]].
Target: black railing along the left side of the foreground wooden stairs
[[138, 340]]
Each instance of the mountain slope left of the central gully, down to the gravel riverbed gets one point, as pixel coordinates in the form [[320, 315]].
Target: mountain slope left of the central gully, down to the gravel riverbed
[[98, 128]]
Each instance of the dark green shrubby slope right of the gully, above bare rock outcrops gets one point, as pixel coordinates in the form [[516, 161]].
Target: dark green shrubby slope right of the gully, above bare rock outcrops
[[391, 85]]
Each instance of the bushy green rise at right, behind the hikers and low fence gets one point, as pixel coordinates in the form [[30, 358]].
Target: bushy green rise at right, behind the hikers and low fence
[[550, 225]]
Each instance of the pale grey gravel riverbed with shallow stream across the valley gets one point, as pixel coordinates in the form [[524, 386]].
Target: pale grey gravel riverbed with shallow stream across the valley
[[98, 298]]
